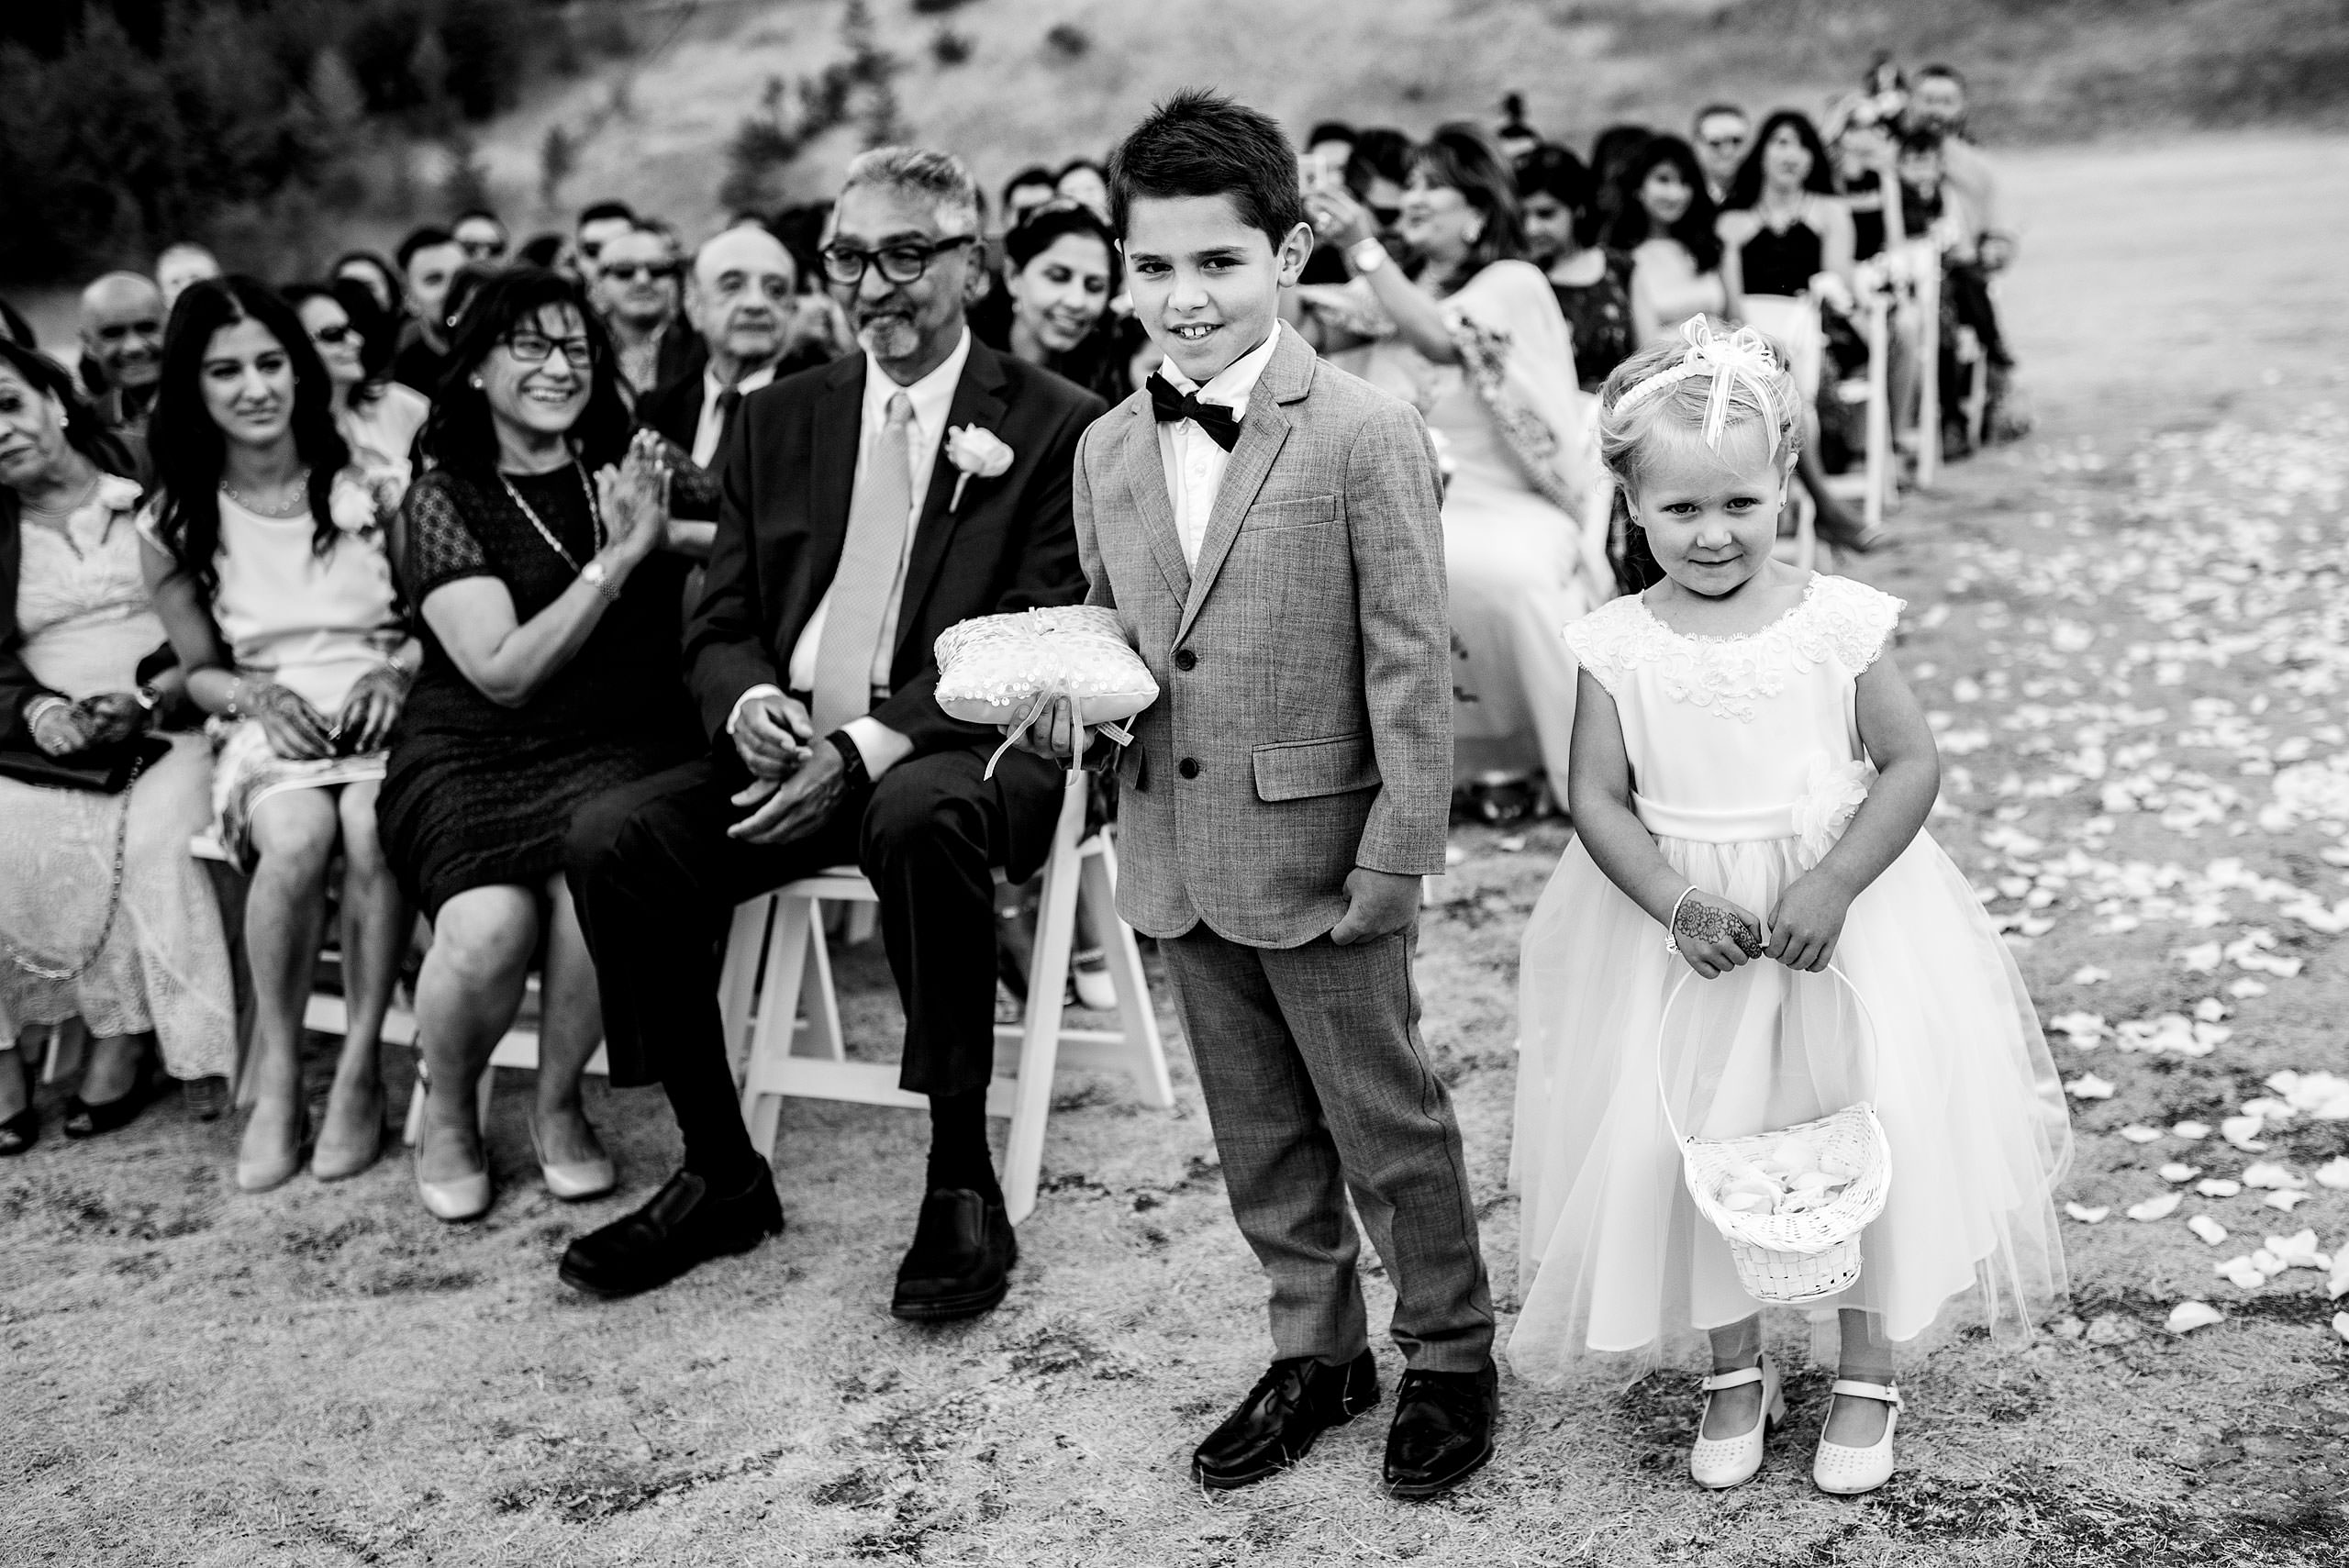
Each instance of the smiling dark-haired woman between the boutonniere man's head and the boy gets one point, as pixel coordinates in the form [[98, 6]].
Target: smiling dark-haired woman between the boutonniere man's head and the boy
[[1061, 271]]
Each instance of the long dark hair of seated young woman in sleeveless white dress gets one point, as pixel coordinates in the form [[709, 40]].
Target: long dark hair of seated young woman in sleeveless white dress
[[187, 442]]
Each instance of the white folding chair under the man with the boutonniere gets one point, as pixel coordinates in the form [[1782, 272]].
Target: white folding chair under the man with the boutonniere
[[779, 942]]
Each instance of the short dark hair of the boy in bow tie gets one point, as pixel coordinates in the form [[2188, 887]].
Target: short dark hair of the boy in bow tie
[[1202, 144]]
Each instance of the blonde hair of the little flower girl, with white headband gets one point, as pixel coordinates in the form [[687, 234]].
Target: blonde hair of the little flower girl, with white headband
[[1763, 419]]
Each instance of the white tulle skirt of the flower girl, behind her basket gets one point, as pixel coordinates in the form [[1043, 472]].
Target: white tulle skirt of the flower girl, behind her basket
[[1620, 1269]]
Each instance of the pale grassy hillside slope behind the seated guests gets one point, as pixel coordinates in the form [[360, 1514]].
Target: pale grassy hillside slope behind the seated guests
[[654, 130]]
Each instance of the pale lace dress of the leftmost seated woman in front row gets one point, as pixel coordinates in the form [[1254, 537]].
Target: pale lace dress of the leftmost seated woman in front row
[[88, 621]]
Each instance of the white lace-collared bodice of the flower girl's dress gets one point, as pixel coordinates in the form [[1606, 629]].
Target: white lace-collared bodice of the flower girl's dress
[[1742, 738]]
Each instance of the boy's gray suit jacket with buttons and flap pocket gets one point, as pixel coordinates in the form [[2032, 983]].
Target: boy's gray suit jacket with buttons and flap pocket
[[1305, 668]]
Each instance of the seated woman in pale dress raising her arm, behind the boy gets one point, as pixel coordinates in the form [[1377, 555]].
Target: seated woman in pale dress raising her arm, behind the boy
[[1481, 349]]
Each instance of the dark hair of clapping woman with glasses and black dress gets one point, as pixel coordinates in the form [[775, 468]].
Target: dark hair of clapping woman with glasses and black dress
[[462, 433]]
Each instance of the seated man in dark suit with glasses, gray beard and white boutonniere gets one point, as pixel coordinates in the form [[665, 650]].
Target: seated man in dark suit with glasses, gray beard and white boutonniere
[[847, 543]]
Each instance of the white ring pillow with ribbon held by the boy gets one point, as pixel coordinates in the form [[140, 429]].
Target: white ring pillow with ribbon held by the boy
[[1007, 670]]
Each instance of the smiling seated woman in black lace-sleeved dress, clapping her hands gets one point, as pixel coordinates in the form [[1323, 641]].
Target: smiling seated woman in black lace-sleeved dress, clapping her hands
[[551, 677]]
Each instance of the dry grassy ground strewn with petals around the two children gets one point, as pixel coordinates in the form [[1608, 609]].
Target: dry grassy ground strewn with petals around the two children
[[2143, 602]]
